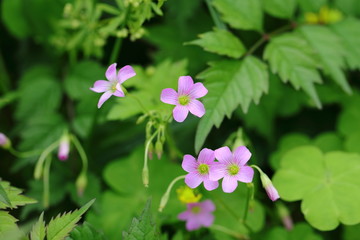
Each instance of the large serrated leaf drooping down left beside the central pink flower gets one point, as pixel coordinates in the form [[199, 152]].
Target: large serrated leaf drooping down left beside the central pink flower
[[230, 83]]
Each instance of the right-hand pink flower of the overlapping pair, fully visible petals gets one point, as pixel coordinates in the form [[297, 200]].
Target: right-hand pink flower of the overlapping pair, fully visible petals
[[232, 168]]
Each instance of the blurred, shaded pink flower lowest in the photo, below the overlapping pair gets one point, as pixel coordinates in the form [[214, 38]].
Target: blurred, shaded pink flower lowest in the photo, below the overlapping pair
[[198, 214]]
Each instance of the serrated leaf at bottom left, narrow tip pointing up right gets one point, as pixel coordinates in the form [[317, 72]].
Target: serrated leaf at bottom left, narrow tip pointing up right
[[61, 226]]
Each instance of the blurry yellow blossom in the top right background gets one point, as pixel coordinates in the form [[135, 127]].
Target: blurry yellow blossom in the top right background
[[326, 15]]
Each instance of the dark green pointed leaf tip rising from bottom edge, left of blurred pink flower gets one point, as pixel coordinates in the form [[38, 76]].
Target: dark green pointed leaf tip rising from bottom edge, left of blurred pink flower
[[142, 227]]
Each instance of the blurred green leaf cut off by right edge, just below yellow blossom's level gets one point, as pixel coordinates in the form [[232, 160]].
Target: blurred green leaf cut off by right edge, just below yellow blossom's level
[[349, 33]]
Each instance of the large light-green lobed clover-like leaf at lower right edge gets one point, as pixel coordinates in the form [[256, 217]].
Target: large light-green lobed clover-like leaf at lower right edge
[[327, 184]]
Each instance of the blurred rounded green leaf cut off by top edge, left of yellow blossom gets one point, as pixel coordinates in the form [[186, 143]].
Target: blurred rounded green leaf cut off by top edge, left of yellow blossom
[[280, 8]]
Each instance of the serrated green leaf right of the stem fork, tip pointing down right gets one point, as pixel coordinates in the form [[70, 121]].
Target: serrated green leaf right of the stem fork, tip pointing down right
[[290, 56]]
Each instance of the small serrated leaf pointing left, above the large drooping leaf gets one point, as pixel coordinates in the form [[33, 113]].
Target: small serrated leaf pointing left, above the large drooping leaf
[[222, 42]]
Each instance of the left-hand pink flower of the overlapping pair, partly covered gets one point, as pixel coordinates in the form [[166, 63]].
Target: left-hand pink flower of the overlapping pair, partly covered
[[198, 171]]
